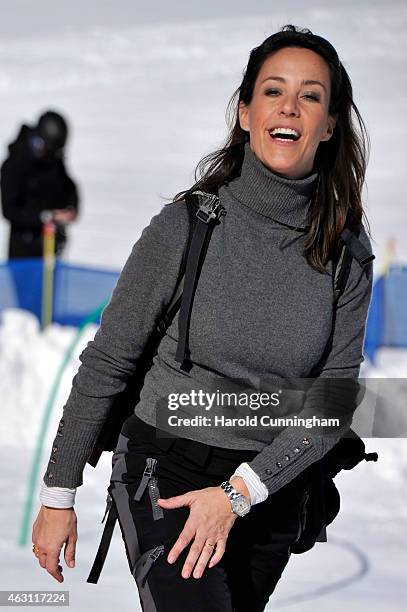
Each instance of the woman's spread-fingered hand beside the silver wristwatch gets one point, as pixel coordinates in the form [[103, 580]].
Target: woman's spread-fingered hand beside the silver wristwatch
[[210, 520]]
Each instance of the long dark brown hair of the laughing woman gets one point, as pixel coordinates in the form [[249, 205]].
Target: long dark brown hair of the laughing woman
[[341, 161]]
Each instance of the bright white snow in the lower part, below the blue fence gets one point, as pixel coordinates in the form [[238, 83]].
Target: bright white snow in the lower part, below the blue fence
[[361, 565]]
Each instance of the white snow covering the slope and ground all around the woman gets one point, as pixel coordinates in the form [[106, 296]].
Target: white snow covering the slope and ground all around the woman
[[146, 97]]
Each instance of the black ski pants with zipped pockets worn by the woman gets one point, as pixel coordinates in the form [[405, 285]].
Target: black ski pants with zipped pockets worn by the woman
[[258, 547]]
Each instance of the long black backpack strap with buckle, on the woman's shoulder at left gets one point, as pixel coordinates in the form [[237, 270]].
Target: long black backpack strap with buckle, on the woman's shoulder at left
[[208, 215]]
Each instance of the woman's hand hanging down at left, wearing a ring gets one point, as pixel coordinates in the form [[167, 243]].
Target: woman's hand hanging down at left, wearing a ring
[[53, 528]]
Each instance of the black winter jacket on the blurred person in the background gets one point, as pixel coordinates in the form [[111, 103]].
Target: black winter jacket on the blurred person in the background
[[30, 185]]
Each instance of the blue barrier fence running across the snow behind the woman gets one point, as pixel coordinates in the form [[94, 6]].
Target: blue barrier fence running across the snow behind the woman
[[79, 290]]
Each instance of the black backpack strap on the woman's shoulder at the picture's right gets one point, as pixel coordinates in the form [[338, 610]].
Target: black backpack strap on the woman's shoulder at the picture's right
[[350, 248]]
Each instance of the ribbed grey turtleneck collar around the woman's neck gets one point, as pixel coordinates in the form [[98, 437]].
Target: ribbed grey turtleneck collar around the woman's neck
[[282, 199]]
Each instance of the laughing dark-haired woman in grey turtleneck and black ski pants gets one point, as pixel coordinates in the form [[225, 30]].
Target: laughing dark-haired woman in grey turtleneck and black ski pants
[[289, 177]]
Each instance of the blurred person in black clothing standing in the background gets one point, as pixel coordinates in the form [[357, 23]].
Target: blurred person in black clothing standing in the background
[[35, 187]]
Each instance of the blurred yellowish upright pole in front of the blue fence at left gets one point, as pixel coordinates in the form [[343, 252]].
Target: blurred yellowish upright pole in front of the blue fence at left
[[48, 232]]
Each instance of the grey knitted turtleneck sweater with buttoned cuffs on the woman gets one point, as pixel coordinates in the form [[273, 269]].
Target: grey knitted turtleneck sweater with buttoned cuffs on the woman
[[261, 315]]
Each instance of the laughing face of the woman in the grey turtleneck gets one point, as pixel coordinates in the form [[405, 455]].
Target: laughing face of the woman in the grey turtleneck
[[292, 90]]
